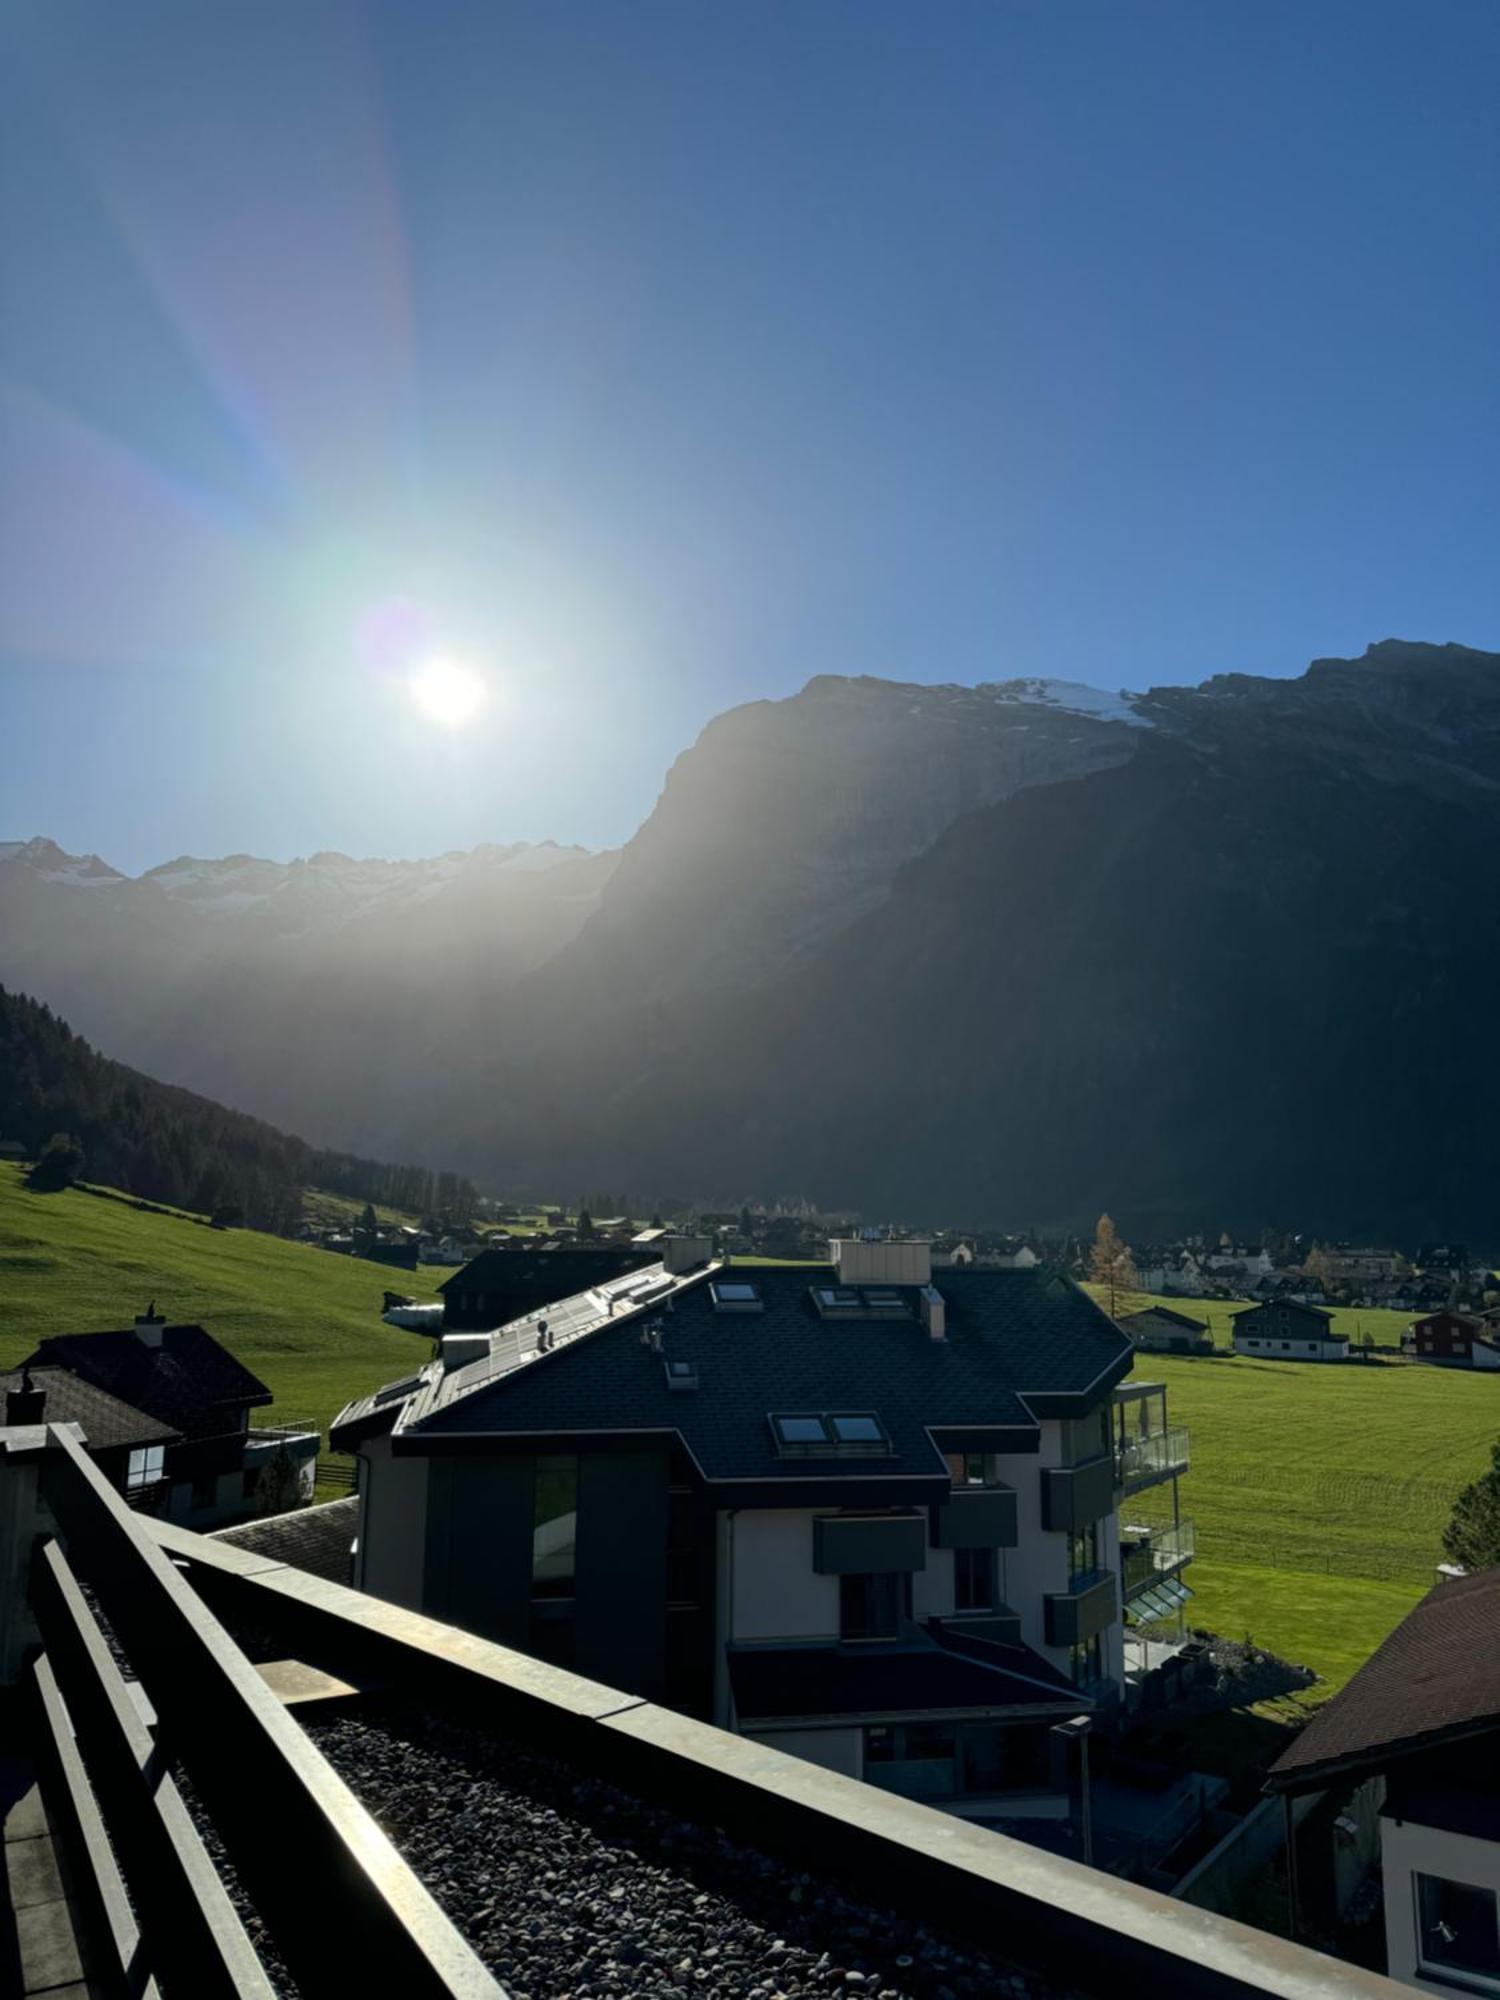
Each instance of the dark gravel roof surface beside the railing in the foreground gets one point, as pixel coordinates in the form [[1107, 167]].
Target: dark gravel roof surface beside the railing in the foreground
[[567, 1887]]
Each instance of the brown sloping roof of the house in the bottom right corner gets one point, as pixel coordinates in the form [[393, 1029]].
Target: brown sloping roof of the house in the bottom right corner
[[1433, 1681]]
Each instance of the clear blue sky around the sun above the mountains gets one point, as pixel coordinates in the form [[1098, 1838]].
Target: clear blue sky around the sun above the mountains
[[647, 359]]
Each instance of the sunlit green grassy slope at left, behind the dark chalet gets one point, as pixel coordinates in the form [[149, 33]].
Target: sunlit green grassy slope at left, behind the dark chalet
[[307, 1323]]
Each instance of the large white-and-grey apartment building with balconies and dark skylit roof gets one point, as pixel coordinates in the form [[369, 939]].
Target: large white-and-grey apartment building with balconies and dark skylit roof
[[843, 1509]]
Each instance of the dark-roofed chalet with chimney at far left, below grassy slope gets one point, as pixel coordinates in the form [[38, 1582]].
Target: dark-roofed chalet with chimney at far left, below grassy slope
[[207, 1463]]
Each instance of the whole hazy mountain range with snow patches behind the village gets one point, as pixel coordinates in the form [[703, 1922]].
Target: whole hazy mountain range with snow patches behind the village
[[1017, 953]]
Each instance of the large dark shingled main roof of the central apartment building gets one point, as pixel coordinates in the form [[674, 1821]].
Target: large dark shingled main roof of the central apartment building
[[1015, 1339]]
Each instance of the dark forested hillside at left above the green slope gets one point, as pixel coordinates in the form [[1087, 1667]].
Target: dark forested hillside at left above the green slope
[[81, 1115]]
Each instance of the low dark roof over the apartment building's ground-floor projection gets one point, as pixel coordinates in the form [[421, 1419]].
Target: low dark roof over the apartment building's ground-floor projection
[[777, 1683]]
